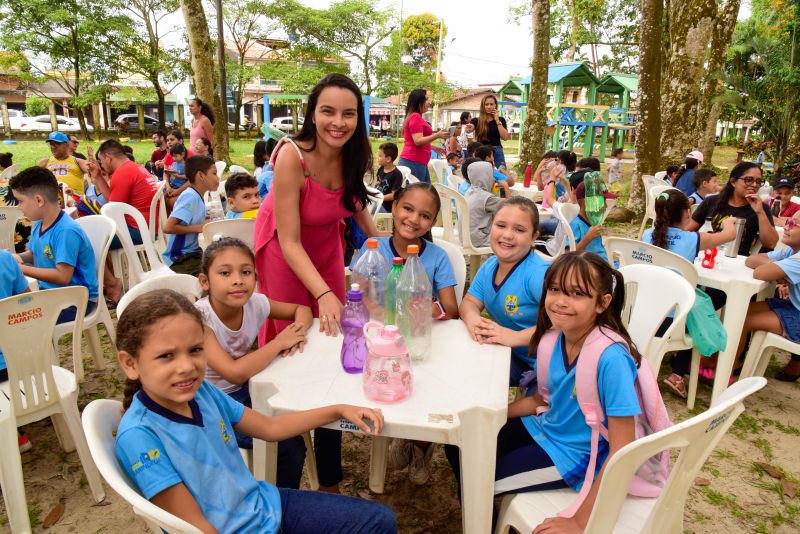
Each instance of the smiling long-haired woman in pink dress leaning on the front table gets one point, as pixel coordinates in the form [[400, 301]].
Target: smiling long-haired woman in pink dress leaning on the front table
[[319, 180]]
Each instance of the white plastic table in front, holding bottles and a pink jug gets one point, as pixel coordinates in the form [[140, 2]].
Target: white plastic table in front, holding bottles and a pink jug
[[460, 397]]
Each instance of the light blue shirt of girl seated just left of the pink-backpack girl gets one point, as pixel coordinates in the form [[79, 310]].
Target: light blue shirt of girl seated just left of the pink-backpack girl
[[514, 302]]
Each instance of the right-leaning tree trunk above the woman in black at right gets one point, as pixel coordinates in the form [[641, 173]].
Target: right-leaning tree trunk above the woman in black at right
[[724, 24]]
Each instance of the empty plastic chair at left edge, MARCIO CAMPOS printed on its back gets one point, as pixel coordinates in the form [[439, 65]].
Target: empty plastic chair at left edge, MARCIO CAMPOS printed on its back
[[37, 389]]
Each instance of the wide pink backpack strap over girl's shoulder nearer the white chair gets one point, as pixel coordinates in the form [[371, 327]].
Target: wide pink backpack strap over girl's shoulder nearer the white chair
[[588, 395]]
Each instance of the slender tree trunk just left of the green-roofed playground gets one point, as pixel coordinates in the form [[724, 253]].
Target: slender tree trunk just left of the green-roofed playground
[[534, 131]]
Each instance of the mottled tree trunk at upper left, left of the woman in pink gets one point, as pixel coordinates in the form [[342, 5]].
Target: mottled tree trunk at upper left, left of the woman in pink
[[203, 70]]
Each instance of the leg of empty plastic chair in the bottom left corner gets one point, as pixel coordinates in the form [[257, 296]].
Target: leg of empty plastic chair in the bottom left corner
[[11, 480]]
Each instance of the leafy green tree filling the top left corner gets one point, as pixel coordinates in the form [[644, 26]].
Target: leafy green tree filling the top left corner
[[68, 43]]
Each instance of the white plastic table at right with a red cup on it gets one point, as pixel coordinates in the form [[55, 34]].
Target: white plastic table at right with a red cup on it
[[736, 280]]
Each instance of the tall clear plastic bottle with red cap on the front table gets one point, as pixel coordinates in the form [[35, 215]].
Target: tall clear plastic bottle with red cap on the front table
[[414, 303]]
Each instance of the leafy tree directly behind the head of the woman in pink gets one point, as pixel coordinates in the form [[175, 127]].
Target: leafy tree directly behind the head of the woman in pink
[[353, 28]]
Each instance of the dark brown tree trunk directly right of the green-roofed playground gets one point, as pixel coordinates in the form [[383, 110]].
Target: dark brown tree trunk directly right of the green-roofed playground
[[648, 126]]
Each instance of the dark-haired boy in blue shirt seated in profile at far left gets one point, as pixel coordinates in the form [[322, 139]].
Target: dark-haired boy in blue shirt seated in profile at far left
[[59, 251]]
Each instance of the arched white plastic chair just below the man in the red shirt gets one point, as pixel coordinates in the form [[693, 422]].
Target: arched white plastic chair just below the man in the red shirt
[[137, 268]]
